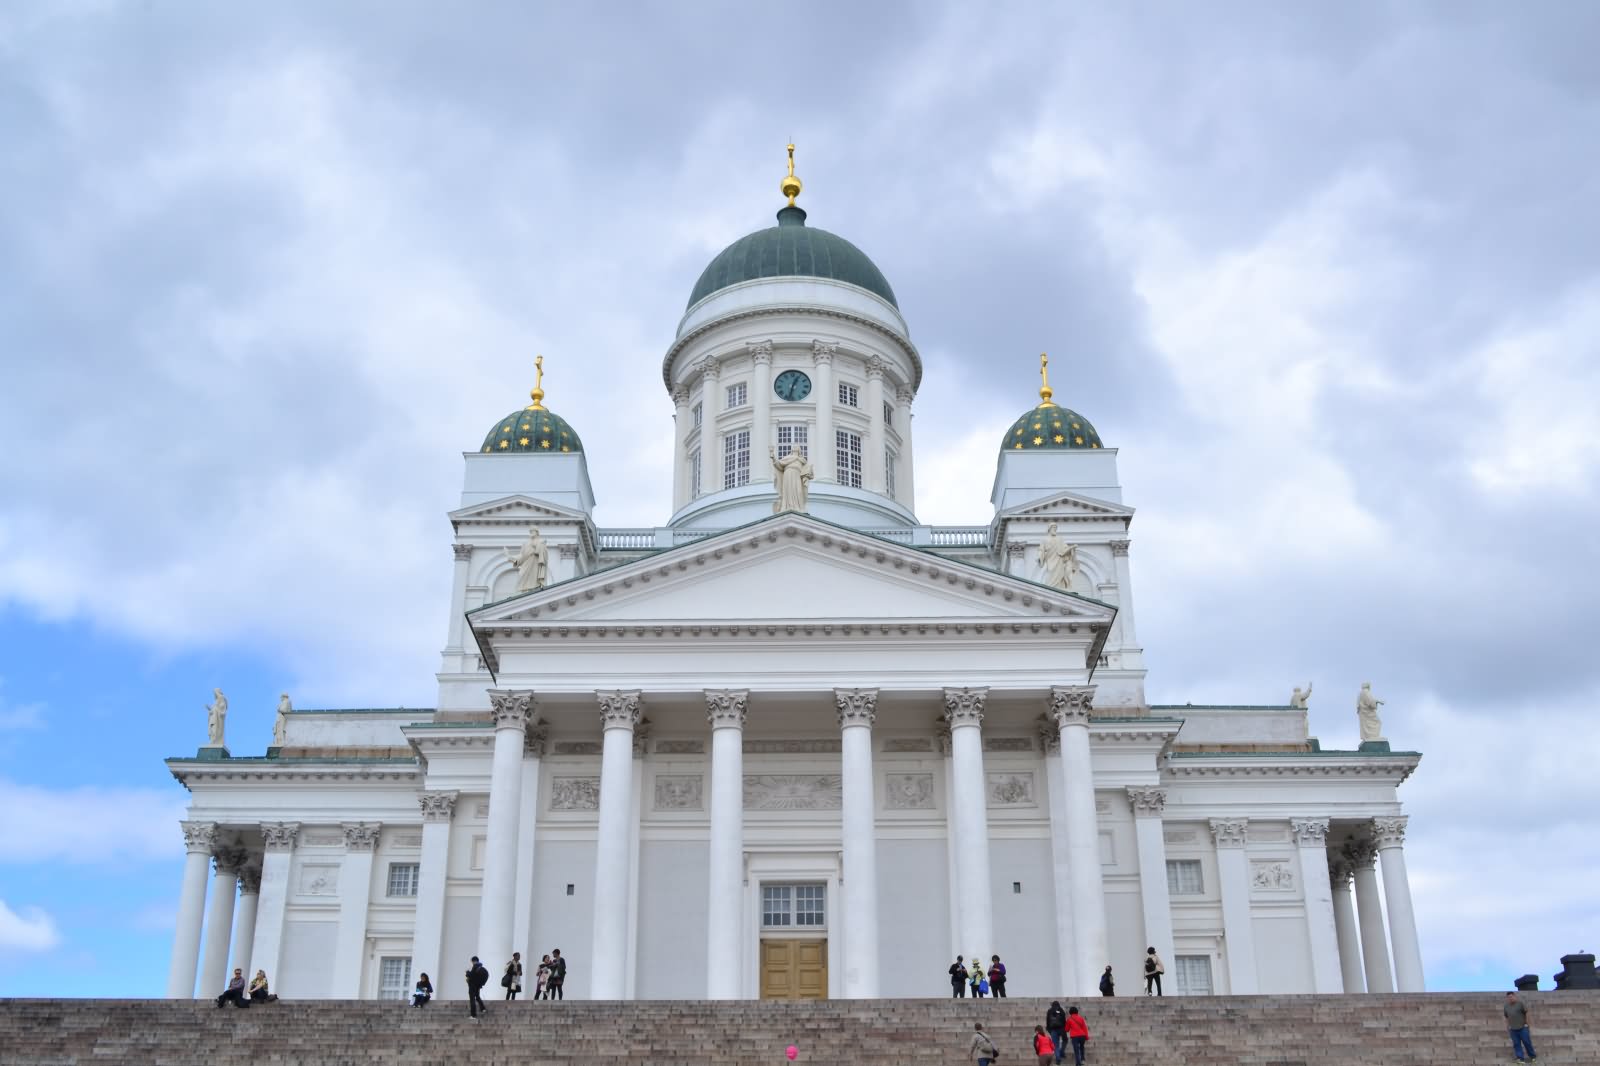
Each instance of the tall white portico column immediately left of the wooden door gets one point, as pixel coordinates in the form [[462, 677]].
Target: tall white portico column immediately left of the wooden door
[[726, 888]]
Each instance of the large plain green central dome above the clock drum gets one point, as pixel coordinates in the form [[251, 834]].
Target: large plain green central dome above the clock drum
[[791, 250]]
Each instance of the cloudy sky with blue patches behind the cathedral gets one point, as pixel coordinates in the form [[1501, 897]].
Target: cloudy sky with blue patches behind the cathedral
[[1324, 275]]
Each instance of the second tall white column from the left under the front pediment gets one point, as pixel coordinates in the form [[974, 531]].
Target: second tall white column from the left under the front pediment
[[614, 862]]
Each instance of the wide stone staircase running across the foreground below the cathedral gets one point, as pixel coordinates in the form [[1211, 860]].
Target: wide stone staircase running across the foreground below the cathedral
[[1430, 1030]]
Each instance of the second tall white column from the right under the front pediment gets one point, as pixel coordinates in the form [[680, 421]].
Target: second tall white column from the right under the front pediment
[[964, 710]]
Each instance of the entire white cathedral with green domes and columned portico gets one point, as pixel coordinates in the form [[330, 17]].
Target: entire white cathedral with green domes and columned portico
[[796, 753]]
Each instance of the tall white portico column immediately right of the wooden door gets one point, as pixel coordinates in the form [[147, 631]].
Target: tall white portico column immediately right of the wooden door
[[860, 828]]
